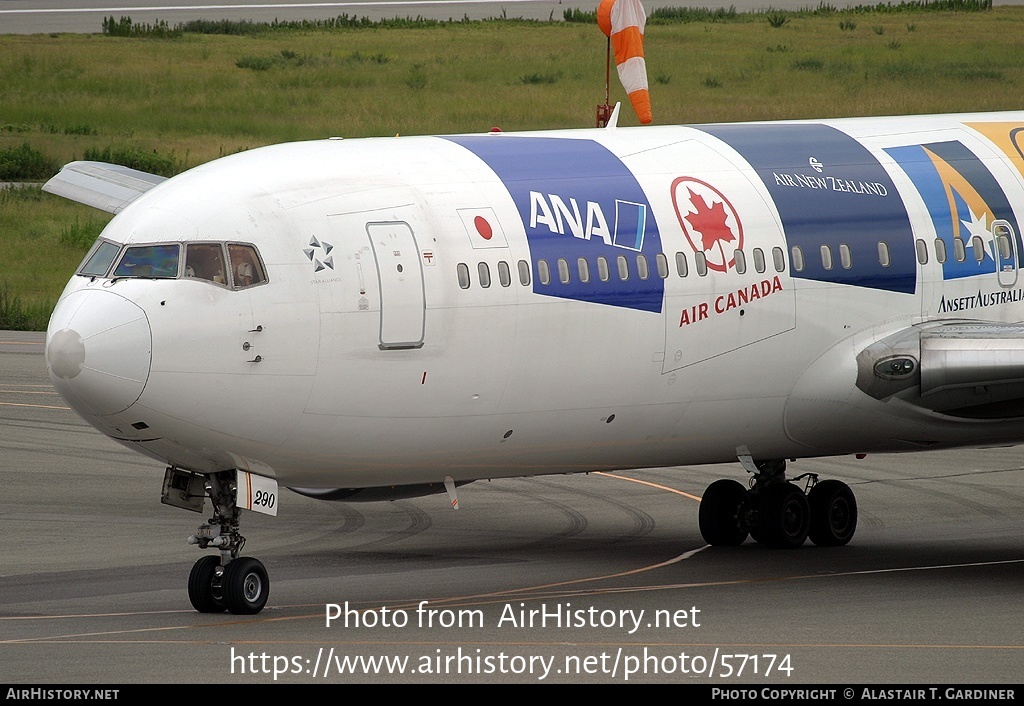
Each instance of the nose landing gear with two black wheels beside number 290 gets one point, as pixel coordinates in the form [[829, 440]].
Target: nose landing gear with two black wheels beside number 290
[[238, 585]]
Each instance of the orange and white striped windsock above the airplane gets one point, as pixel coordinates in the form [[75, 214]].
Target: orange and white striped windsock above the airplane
[[624, 22]]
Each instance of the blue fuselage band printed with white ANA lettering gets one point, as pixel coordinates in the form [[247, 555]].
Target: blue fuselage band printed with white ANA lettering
[[578, 200]]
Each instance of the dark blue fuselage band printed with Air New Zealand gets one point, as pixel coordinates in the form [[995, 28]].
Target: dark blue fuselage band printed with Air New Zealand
[[830, 190]]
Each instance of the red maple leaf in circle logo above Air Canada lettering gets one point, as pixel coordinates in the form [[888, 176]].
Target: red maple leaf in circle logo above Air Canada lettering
[[709, 221]]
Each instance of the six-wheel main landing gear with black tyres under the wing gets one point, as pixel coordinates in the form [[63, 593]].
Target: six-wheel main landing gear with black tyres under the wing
[[776, 512]]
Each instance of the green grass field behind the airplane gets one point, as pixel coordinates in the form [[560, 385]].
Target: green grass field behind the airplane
[[173, 104]]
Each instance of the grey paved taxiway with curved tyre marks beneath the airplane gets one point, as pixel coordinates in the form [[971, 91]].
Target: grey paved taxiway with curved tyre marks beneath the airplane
[[533, 579]]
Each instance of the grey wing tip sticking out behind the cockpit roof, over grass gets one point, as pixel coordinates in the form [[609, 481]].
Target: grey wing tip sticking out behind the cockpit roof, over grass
[[107, 187]]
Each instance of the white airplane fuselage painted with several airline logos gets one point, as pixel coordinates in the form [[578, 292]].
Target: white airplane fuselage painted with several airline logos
[[374, 355]]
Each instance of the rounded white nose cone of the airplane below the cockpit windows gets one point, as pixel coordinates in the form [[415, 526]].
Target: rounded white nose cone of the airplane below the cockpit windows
[[99, 351]]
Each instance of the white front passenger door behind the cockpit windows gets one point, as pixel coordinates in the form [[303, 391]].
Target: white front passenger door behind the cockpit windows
[[401, 277]]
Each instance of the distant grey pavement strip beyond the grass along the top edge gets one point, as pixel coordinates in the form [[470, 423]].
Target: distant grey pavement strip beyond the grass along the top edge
[[84, 17]]
